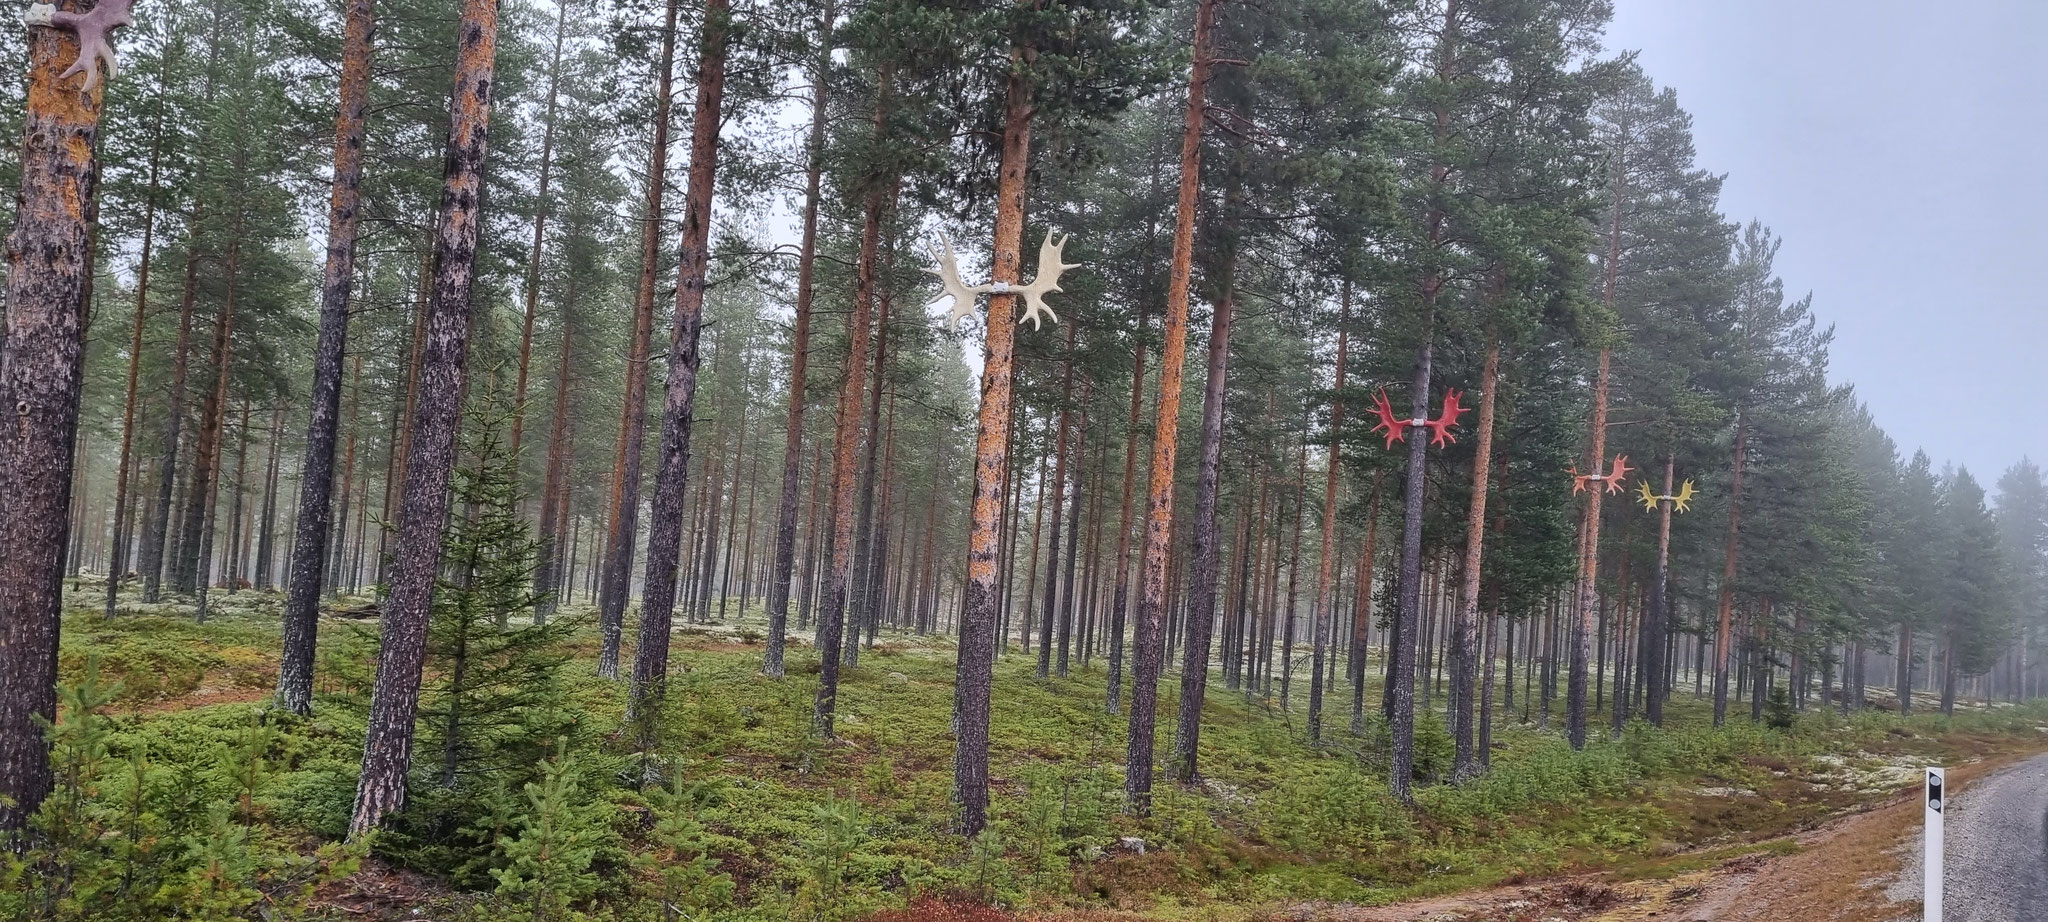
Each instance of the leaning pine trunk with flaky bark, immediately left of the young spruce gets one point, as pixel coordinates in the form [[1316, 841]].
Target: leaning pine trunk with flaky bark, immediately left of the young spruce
[[425, 507]]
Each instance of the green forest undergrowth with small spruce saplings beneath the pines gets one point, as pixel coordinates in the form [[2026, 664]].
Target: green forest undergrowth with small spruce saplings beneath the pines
[[185, 796]]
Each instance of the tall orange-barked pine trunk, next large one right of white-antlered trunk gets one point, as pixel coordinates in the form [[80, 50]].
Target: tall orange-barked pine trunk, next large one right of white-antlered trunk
[[1166, 433]]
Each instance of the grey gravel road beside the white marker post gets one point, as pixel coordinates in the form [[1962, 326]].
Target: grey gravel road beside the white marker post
[[1998, 849]]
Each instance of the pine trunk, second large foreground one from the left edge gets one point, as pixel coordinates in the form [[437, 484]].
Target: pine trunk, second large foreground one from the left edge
[[316, 472]]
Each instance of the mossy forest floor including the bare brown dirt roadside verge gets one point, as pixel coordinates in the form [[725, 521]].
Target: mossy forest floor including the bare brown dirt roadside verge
[[1689, 823]]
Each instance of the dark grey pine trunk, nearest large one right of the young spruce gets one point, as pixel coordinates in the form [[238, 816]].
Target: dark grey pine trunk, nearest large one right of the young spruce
[[673, 476]]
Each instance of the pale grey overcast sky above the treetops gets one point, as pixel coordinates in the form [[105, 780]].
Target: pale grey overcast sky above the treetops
[[1902, 153]]
